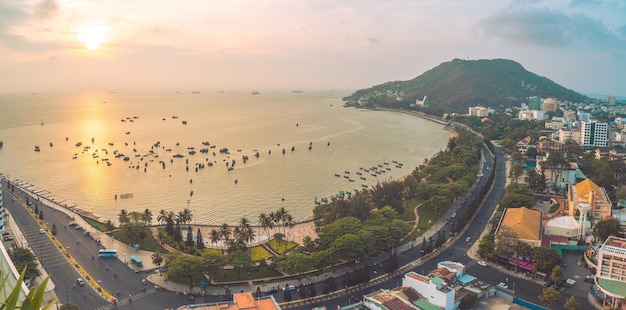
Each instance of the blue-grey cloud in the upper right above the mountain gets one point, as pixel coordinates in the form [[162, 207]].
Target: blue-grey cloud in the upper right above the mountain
[[542, 26]]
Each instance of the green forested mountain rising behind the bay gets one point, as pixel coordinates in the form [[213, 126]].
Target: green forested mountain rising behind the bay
[[459, 84]]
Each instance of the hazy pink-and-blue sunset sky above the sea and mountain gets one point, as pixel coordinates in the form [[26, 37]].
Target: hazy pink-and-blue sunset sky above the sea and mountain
[[184, 45]]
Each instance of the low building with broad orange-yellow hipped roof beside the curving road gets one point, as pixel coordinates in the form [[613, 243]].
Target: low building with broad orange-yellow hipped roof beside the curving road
[[519, 225]]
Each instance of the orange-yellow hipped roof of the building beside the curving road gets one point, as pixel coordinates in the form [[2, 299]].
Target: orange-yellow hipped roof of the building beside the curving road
[[526, 223]]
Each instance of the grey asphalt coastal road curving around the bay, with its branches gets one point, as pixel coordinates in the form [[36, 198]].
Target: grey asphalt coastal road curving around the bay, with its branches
[[129, 283]]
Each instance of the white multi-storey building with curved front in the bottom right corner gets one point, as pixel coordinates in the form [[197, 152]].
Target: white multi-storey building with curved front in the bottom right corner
[[611, 272]]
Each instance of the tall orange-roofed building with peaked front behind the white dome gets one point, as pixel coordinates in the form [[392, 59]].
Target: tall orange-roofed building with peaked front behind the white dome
[[588, 192]]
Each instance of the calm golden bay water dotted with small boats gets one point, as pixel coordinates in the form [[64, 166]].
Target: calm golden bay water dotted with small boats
[[224, 155]]
